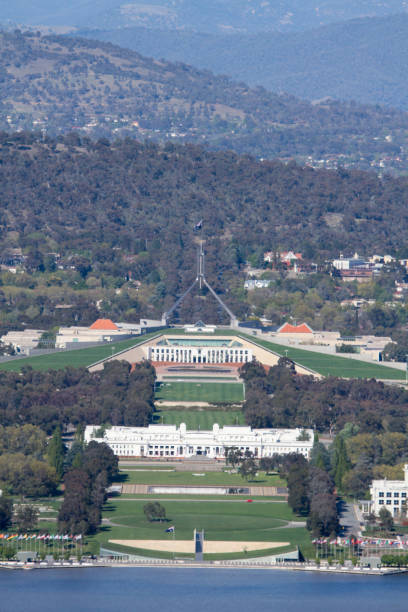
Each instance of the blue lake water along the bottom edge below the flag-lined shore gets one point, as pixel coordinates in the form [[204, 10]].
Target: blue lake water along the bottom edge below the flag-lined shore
[[197, 590]]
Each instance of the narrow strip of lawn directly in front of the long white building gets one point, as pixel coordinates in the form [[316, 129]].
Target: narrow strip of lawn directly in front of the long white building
[[133, 476]]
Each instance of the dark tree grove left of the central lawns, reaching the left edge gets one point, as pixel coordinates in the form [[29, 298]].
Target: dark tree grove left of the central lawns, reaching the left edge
[[53, 398]]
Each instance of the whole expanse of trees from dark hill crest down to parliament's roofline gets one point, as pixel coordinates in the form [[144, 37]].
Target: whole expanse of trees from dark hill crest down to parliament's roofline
[[115, 215]]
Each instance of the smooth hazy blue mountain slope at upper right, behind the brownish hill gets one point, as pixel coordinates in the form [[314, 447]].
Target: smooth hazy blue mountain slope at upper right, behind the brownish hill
[[364, 59]]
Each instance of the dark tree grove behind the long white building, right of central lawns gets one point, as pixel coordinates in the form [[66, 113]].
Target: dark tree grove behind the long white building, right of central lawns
[[281, 398]]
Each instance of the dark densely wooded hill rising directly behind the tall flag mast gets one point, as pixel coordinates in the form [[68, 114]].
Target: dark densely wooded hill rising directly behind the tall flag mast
[[129, 208]]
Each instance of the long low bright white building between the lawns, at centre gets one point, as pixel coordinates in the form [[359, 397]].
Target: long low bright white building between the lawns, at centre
[[173, 441]]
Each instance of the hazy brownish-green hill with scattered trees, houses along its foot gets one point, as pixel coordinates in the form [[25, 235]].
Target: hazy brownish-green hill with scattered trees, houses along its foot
[[59, 84]]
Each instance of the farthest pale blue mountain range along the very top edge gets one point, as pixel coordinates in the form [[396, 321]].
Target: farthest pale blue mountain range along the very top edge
[[210, 16]]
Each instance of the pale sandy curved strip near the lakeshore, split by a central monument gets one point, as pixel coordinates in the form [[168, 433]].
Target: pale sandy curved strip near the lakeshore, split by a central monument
[[187, 546]]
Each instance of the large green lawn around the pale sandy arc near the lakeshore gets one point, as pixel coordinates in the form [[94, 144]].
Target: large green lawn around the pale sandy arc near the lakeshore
[[230, 521]]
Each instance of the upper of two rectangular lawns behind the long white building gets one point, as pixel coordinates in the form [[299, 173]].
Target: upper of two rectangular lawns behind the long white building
[[200, 392]]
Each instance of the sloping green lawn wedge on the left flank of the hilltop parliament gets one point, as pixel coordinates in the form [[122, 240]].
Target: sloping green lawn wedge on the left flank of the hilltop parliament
[[76, 358]]
